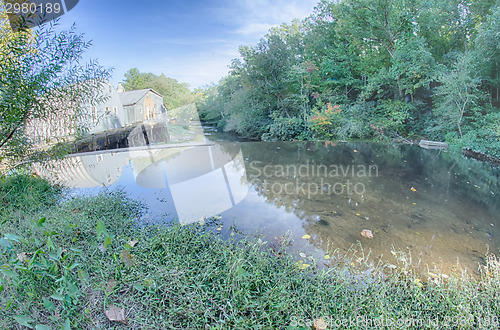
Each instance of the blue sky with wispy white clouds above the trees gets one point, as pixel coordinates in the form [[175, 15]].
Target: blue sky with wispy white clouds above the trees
[[192, 41]]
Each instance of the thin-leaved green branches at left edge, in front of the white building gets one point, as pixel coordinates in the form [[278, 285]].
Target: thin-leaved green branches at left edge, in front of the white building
[[41, 77]]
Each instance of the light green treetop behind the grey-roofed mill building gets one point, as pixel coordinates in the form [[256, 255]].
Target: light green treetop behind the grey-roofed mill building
[[175, 94]]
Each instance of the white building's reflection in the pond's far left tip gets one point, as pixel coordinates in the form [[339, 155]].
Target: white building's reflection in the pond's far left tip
[[94, 170]]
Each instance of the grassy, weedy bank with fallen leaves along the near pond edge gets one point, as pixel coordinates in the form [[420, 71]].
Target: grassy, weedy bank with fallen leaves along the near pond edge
[[81, 263]]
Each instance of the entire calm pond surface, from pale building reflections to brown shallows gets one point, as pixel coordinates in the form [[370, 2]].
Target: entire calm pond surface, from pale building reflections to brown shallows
[[440, 207]]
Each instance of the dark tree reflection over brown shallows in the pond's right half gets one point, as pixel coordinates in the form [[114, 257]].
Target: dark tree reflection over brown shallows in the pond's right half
[[442, 217]]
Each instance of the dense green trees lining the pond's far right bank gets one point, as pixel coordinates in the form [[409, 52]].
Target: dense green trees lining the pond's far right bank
[[364, 69]]
